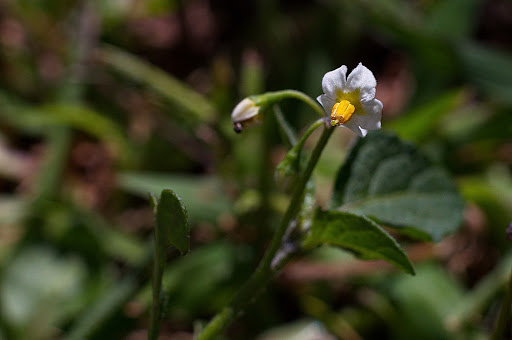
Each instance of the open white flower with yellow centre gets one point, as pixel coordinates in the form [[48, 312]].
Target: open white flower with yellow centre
[[350, 101]]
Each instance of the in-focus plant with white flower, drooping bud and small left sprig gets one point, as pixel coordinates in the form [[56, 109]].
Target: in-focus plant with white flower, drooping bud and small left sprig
[[383, 182]]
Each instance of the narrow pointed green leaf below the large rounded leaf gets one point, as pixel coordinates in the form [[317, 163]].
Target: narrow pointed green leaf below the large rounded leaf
[[365, 238]]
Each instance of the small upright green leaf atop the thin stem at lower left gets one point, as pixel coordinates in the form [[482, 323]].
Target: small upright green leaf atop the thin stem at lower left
[[172, 221]]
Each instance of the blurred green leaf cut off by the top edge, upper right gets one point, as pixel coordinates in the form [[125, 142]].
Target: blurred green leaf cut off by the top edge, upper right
[[453, 19]]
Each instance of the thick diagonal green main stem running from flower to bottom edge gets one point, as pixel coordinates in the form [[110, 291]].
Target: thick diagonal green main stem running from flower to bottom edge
[[265, 271]]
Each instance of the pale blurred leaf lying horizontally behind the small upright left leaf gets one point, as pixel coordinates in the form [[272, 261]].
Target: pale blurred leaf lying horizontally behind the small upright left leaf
[[202, 195]]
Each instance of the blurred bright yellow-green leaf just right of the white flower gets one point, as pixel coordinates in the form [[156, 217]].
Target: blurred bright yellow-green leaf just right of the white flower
[[422, 122]]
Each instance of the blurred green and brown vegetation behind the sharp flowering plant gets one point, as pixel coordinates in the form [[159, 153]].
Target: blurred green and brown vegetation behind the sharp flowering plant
[[102, 102]]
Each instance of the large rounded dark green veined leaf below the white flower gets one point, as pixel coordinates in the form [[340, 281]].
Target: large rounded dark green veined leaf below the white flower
[[390, 181]]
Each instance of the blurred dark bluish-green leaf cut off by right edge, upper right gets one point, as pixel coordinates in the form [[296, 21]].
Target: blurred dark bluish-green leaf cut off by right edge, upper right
[[489, 69]]
